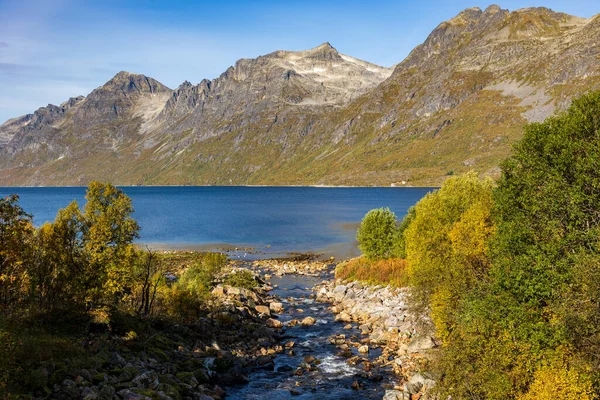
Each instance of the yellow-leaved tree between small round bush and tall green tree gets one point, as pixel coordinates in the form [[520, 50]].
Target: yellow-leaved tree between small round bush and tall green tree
[[446, 245]]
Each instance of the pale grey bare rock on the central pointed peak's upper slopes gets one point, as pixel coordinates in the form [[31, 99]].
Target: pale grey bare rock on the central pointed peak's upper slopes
[[272, 83]]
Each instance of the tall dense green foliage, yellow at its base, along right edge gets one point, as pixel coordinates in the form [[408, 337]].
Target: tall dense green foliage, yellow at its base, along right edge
[[540, 298]]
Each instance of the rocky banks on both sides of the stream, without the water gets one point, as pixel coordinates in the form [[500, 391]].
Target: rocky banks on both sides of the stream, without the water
[[246, 332]]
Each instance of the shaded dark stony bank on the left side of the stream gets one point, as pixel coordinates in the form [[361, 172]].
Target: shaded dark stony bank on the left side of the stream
[[177, 361]]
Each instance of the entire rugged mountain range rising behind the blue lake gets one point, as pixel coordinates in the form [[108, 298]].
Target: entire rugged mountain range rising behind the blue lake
[[458, 102]]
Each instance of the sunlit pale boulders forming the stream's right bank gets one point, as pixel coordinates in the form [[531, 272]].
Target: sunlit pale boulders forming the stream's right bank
[[383, 319]]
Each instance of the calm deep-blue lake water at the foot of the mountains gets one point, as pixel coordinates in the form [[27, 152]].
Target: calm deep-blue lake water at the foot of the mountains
[[273, 220]]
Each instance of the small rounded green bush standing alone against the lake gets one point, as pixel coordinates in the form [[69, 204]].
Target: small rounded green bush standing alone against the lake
[[376, 234]]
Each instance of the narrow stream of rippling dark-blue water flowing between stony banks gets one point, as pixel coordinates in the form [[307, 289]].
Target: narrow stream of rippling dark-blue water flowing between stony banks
[[333, 377]]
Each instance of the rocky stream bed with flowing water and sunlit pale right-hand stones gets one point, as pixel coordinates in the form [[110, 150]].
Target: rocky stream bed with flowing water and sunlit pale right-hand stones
[[341, 341]]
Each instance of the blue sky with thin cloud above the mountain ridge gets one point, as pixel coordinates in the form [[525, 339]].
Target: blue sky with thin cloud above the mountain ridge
[[51, 50]]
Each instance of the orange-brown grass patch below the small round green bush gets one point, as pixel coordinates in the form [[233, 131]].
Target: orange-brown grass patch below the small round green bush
[[382, 272]]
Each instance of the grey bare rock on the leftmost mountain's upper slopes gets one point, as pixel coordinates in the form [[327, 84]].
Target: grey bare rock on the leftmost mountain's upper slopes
[[104, 120]]
